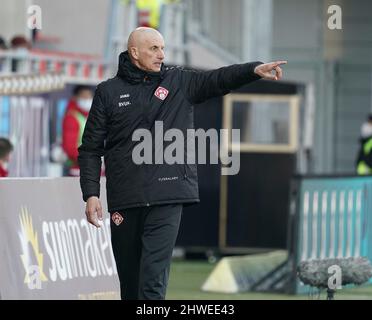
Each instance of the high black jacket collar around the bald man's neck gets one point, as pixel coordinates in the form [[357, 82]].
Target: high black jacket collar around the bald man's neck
[[128, 71]]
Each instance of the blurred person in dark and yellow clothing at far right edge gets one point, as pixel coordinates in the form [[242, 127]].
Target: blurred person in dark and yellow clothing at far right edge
[[364, 159]]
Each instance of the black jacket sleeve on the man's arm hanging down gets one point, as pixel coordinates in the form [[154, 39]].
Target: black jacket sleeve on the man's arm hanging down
[[92, 148]]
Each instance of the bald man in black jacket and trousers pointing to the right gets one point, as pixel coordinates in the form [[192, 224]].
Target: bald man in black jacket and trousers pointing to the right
[[145, 200]]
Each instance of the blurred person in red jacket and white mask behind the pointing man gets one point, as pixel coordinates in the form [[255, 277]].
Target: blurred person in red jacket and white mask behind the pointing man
[[73, 125]]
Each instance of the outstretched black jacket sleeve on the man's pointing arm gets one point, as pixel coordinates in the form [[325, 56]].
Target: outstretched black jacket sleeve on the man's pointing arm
[[199, 86]]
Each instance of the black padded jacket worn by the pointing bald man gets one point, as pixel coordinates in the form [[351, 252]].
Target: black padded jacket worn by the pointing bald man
[[128, 102]]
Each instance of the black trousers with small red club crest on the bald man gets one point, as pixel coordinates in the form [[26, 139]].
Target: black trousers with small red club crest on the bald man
[[143, 240]]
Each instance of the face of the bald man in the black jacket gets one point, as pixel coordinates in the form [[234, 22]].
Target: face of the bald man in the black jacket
[[149, 54]]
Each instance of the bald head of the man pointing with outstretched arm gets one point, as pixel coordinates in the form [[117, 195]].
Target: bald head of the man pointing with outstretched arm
[[146, 48]]
